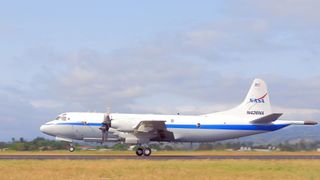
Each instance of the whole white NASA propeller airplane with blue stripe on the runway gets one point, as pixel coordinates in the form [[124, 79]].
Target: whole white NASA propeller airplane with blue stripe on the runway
[[252, 116]]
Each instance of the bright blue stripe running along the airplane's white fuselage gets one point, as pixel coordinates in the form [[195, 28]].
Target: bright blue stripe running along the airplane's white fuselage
[[253, 127]]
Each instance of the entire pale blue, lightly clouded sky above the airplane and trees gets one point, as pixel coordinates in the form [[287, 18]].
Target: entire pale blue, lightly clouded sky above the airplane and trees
[[192, 57]]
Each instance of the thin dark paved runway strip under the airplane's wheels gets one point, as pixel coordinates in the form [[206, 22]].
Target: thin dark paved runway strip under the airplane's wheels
[[158, 157]]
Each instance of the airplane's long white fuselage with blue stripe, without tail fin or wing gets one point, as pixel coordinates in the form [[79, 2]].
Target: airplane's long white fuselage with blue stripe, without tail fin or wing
[[85, 126]]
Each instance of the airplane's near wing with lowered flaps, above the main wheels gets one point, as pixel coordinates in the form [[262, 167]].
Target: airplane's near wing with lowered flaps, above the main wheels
[[156, 130]]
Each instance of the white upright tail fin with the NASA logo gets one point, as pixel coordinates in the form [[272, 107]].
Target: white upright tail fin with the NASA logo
[[256, 104]]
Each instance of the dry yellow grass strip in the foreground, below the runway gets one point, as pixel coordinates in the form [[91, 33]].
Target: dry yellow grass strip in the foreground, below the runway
[[152, 169]]
